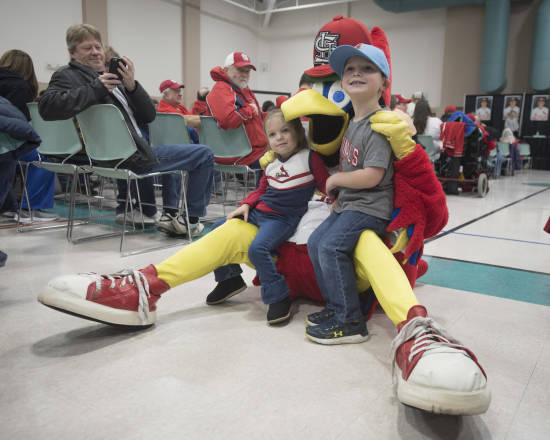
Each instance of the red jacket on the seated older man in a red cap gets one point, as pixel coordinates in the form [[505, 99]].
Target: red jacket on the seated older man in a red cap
[[233, 107]]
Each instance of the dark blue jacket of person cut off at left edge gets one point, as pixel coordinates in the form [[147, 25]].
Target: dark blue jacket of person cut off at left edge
[[15, 124]]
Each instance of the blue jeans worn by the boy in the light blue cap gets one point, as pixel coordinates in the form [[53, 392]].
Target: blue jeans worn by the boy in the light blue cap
[[330, 249]]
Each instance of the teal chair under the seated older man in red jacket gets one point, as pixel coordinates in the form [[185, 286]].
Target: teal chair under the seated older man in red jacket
[[227, 144]]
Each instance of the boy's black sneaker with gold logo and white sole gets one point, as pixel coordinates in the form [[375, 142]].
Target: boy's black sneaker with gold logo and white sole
[[333, 332]]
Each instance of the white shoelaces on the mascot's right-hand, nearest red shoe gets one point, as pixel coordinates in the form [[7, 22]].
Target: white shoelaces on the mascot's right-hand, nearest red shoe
[[428, 335]]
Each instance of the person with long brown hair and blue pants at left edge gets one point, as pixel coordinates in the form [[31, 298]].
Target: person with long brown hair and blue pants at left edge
[[18, 85]]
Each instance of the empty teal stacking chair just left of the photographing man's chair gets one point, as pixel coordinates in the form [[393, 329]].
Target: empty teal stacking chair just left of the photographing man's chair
[[60, 139]]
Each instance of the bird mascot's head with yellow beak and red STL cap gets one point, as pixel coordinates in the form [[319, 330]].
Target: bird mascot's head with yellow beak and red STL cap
[[327, 105]]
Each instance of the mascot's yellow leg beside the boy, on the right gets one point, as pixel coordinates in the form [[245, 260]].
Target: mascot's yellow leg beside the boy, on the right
[[374, 262]]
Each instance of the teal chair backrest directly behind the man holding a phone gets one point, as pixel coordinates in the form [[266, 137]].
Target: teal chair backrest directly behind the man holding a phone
[[105, 133]]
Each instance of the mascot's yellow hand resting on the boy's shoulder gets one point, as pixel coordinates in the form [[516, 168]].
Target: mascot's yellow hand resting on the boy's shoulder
[[396, 130]]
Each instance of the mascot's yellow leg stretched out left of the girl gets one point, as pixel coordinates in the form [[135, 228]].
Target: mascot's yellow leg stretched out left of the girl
[[226, 244]]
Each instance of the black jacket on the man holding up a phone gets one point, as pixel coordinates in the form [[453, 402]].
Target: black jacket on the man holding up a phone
[[75, 87]]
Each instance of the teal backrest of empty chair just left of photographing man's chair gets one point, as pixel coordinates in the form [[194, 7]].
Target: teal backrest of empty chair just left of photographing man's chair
[[58, 137]]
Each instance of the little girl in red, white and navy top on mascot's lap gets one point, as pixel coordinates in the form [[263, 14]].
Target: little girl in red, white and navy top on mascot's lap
[[276, 207]]
